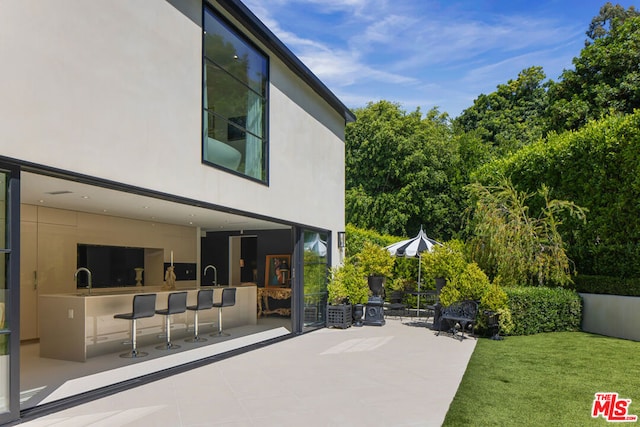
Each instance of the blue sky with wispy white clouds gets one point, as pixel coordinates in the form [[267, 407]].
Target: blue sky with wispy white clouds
[[428, 53]]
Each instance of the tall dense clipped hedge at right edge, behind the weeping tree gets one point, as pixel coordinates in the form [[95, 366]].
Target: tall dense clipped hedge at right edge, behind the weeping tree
[[597, 167]]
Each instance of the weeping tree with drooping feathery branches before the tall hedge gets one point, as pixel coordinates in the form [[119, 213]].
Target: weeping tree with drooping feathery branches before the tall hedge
[[509, 242]]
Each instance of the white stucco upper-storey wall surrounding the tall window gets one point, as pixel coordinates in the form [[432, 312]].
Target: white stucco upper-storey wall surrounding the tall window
[[112, 89]]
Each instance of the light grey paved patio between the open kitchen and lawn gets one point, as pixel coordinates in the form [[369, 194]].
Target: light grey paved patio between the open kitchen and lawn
[[399, 374]]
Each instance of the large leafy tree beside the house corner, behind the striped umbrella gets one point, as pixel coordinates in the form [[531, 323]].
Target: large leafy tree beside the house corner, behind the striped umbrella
[[400, 168]]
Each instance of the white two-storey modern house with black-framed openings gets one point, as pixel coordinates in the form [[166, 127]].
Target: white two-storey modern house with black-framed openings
[[183, 129]]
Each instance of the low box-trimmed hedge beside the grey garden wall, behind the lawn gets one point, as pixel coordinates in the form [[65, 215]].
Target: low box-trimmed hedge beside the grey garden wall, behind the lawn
[[539, 309]]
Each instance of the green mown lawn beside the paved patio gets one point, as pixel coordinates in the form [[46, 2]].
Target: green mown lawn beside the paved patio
[[545, 380]]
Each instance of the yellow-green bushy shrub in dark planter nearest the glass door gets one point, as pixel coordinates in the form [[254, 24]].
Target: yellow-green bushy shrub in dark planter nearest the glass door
[[347, 284]]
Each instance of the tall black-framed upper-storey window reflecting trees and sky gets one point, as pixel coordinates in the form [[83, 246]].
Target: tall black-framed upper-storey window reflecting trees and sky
[[234, 101]]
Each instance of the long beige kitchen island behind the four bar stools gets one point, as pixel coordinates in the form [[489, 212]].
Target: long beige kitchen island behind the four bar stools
[[79, 326]]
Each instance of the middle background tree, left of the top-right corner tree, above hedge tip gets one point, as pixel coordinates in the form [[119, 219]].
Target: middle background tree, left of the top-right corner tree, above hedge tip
[[509, 118]]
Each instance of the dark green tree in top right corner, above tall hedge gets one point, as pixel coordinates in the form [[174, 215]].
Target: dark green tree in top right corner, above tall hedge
[[606, 79]]
